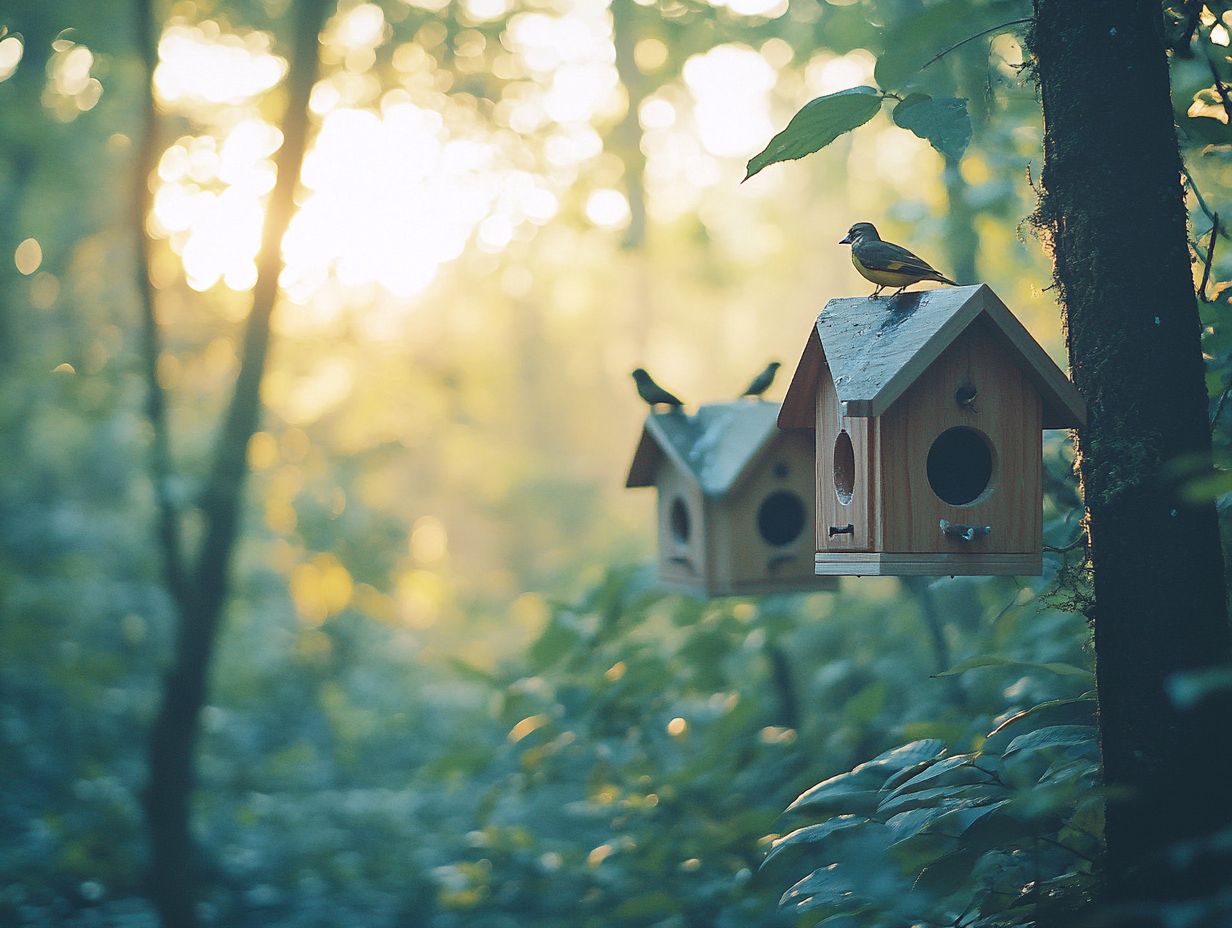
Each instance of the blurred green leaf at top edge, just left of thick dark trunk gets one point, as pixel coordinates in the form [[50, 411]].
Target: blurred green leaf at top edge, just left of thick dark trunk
[[912, 41]]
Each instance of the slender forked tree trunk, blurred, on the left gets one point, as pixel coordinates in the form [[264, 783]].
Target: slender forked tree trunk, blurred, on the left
[[200, 591]]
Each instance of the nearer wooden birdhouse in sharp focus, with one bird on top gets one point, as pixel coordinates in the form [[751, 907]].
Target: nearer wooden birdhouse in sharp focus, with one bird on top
[[927, 412]]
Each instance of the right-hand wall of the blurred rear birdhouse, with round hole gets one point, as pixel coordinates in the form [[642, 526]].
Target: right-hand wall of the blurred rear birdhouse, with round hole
[[763, 531]]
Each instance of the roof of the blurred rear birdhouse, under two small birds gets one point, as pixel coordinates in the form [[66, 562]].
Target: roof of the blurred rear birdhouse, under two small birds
[[715, 447]]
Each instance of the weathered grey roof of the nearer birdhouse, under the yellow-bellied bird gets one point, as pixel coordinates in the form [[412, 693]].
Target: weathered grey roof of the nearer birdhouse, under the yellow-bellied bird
[[878, 348]]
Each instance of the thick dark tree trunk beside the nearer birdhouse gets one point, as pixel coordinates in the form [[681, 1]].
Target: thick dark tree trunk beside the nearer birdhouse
[[1114, 211]]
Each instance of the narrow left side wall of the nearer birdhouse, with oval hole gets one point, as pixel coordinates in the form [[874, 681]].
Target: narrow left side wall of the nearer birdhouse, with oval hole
[[847, 475]]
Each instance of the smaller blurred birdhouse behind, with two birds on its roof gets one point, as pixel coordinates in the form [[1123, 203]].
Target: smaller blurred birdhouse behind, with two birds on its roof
[[735, 500]]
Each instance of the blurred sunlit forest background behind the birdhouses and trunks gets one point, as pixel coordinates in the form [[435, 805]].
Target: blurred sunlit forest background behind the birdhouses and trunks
[[444, 693]]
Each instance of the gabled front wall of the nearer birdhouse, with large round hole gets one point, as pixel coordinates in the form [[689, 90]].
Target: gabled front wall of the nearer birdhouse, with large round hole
[[971, 460]]
